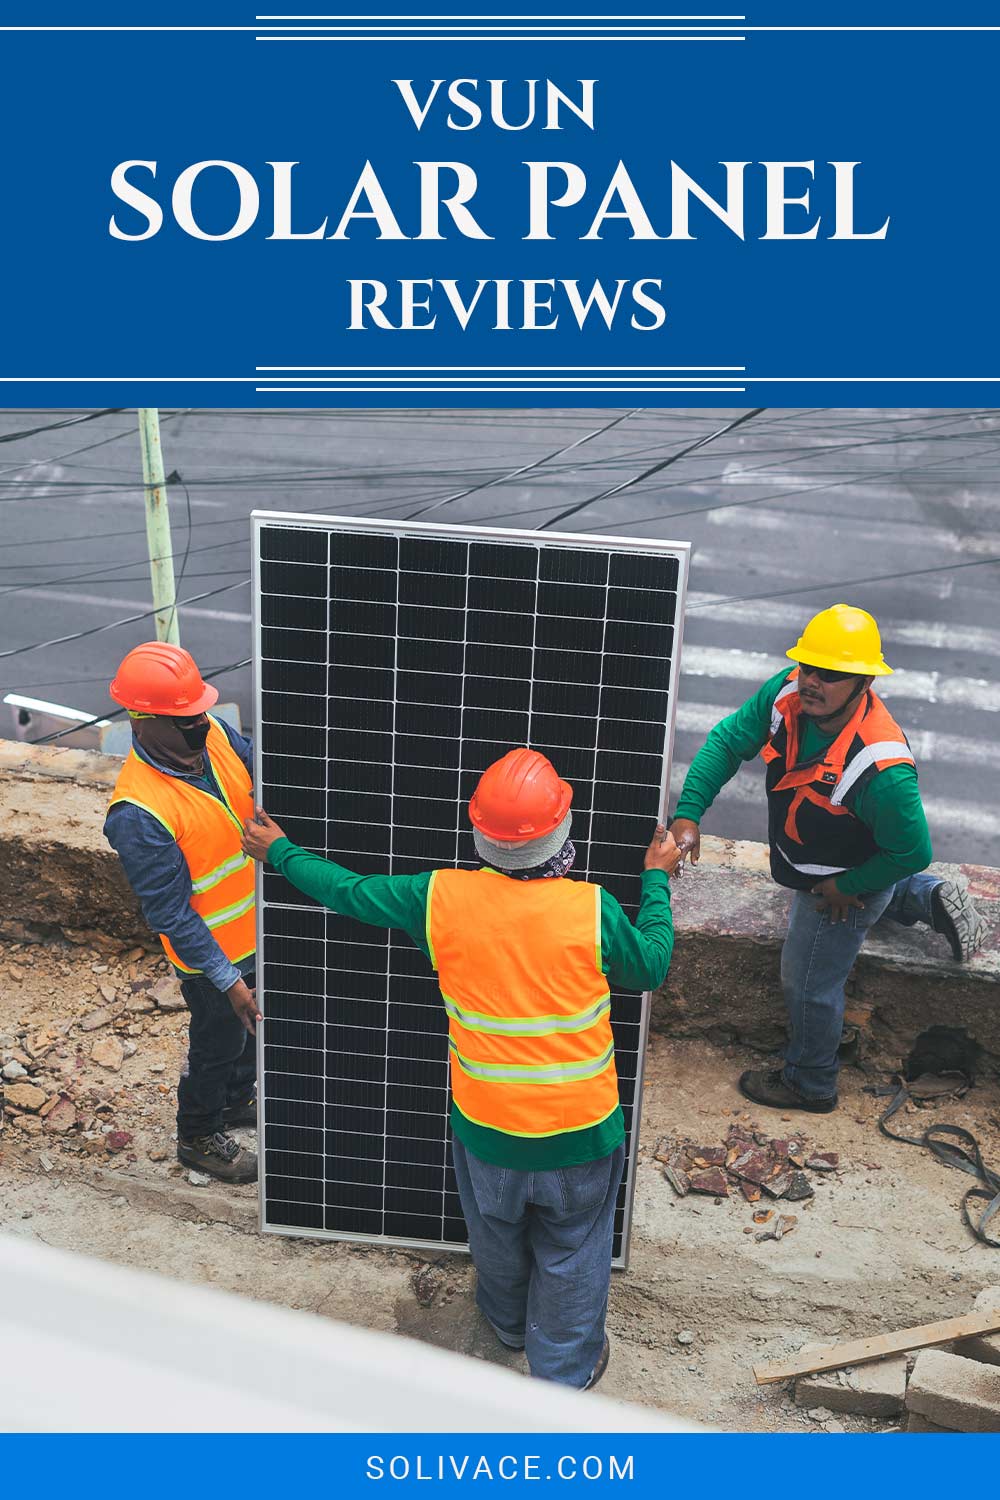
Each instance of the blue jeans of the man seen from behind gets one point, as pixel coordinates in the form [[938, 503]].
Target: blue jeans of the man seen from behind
[[542, 1244]]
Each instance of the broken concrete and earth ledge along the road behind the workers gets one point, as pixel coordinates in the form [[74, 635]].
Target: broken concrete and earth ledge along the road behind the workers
[[58, 874]]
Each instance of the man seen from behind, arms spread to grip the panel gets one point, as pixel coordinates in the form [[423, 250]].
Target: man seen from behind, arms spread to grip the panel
[[524, 961]]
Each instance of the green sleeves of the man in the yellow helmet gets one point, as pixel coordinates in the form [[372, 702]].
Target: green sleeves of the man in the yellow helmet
[[890, 805]]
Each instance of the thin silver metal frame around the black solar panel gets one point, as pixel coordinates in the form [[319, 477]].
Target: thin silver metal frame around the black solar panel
[[296, 521]]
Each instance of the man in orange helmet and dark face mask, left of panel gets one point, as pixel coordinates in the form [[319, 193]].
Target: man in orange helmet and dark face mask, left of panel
[[176, 820]]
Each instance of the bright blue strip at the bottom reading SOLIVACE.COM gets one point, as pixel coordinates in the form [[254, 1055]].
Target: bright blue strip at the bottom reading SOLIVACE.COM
[[373, 1466]]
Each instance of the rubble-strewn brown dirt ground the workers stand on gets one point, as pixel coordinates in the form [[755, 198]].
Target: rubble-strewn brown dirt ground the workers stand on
[[88, 1165]]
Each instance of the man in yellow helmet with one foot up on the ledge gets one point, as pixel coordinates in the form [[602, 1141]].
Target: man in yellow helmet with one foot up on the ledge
[[846, 830]]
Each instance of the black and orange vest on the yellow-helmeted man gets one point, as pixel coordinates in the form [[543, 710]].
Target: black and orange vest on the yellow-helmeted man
[[812, 829]]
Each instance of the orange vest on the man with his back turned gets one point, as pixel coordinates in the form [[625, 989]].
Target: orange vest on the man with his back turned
[[530, 1034]]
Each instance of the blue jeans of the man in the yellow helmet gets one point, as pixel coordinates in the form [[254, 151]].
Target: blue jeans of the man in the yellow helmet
[[816, 959]]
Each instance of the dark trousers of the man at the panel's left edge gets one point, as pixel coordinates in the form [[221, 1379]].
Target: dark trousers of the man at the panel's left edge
[[221, 1067]]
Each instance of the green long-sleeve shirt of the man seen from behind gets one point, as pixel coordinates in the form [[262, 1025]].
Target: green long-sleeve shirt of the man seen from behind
[[633, 958]]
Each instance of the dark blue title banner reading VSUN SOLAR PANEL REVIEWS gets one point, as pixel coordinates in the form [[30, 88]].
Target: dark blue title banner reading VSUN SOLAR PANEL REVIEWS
[[741, 206]]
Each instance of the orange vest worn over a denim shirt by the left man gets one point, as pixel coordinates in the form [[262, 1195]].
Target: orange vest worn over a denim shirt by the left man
[[209, 836]]
